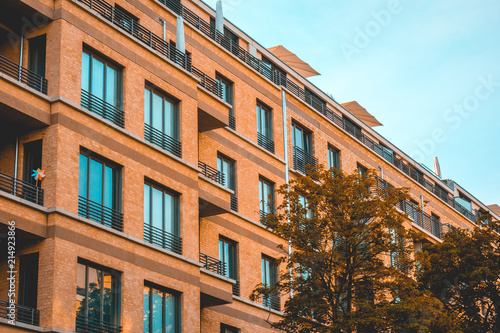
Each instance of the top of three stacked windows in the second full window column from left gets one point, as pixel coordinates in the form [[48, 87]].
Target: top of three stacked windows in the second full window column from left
[[161, 121]]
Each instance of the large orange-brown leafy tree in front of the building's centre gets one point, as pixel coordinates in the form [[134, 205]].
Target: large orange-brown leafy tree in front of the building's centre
[[344, 231]]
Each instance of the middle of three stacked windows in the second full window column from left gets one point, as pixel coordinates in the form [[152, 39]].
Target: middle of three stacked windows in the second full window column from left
[[161, 218]]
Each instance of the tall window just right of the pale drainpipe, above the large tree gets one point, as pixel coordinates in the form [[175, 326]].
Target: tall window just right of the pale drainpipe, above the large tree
[[302, 149]]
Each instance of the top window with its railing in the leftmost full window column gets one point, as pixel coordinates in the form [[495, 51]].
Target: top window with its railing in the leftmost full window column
[[102, 88]]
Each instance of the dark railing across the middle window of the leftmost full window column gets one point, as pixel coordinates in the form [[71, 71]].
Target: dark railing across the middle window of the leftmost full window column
[[99, 213]]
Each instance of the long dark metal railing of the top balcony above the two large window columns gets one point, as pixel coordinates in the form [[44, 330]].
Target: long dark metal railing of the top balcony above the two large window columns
[[130, 25]]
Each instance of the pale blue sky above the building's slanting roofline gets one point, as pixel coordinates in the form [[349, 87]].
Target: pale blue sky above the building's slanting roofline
[[429, 70]]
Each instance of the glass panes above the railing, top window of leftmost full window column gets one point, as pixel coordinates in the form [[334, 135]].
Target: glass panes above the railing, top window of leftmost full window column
[[101, 78]]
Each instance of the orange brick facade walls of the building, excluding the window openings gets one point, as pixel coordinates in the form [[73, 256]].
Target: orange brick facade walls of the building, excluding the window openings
[[63, 236]]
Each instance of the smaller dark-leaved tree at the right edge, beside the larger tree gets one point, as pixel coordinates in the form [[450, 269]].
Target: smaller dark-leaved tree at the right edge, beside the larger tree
[[464, 272]]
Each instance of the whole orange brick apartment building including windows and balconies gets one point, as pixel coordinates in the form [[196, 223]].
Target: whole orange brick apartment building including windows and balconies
[[161, 134]]
